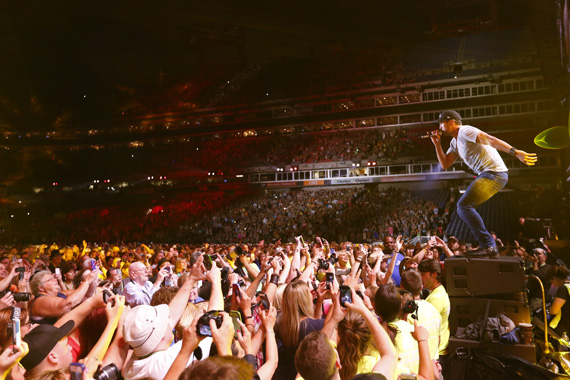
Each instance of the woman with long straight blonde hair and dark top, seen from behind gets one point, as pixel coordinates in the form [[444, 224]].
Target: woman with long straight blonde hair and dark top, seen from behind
[[294, 323]]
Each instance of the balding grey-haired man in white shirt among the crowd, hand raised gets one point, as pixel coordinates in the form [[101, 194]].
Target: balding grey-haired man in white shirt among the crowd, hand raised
[[139, 290]]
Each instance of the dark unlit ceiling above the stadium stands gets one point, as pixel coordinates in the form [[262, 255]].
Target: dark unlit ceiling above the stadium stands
[[77, 62]]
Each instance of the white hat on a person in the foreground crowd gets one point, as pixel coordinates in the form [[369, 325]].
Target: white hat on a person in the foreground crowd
[[144, 327]]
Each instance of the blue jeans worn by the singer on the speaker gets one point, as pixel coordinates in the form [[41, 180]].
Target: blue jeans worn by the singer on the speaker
[[481, 189]]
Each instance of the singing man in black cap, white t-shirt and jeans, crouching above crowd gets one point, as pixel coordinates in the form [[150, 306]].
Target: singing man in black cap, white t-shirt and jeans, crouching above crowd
[[479, 151]]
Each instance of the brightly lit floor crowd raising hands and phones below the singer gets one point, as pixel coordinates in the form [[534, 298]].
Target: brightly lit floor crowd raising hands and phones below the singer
[[315, 309]]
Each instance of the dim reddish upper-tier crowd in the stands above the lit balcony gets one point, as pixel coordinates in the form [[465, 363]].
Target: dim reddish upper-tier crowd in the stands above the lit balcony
[[227, 153]]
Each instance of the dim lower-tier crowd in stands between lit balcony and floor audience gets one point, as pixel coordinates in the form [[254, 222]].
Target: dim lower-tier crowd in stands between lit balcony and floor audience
[[353, 213]]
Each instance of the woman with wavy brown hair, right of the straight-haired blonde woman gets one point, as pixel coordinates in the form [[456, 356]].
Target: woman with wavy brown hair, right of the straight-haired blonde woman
[[355, 349]]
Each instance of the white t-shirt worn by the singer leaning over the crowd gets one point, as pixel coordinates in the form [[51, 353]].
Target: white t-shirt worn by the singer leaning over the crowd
[[479, 157]]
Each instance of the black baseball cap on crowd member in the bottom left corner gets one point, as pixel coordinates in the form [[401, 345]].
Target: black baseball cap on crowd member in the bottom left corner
[[41, 340]]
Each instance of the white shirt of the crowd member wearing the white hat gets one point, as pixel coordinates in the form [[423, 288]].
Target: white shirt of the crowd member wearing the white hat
[[157, 365]]
